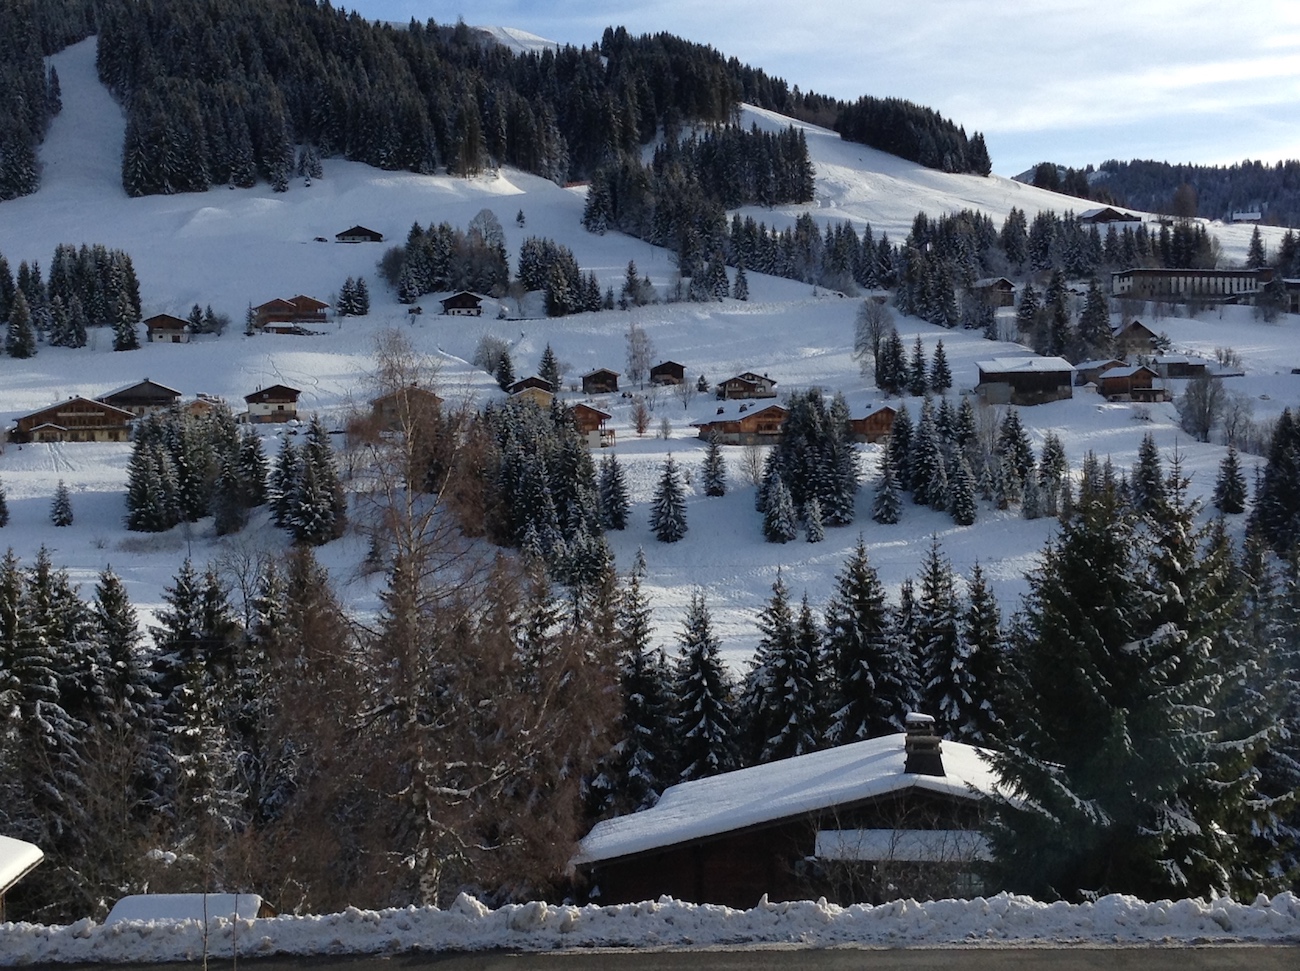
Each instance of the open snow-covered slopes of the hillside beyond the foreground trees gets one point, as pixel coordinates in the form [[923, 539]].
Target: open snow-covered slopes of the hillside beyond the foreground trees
[[232, 249]]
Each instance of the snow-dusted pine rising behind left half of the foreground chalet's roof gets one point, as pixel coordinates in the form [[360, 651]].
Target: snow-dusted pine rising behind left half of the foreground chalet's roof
[[705, 713]]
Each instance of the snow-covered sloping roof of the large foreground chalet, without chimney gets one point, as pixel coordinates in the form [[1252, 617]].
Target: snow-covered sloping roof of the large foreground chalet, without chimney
[[781, 790]]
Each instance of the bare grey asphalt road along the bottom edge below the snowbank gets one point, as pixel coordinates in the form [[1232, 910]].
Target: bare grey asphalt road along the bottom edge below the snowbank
[[1210, 959]]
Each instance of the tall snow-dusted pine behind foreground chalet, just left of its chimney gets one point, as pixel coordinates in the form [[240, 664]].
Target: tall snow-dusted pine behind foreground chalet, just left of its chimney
[[874, 675]]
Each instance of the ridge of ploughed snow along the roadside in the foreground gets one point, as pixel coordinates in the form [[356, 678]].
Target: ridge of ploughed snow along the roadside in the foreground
[[1003, 921]]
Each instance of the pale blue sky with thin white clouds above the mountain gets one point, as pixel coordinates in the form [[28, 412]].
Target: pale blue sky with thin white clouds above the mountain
[[1073, 83]]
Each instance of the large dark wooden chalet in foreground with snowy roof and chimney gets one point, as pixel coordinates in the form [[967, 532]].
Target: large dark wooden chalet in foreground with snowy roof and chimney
[[866, 822]]
